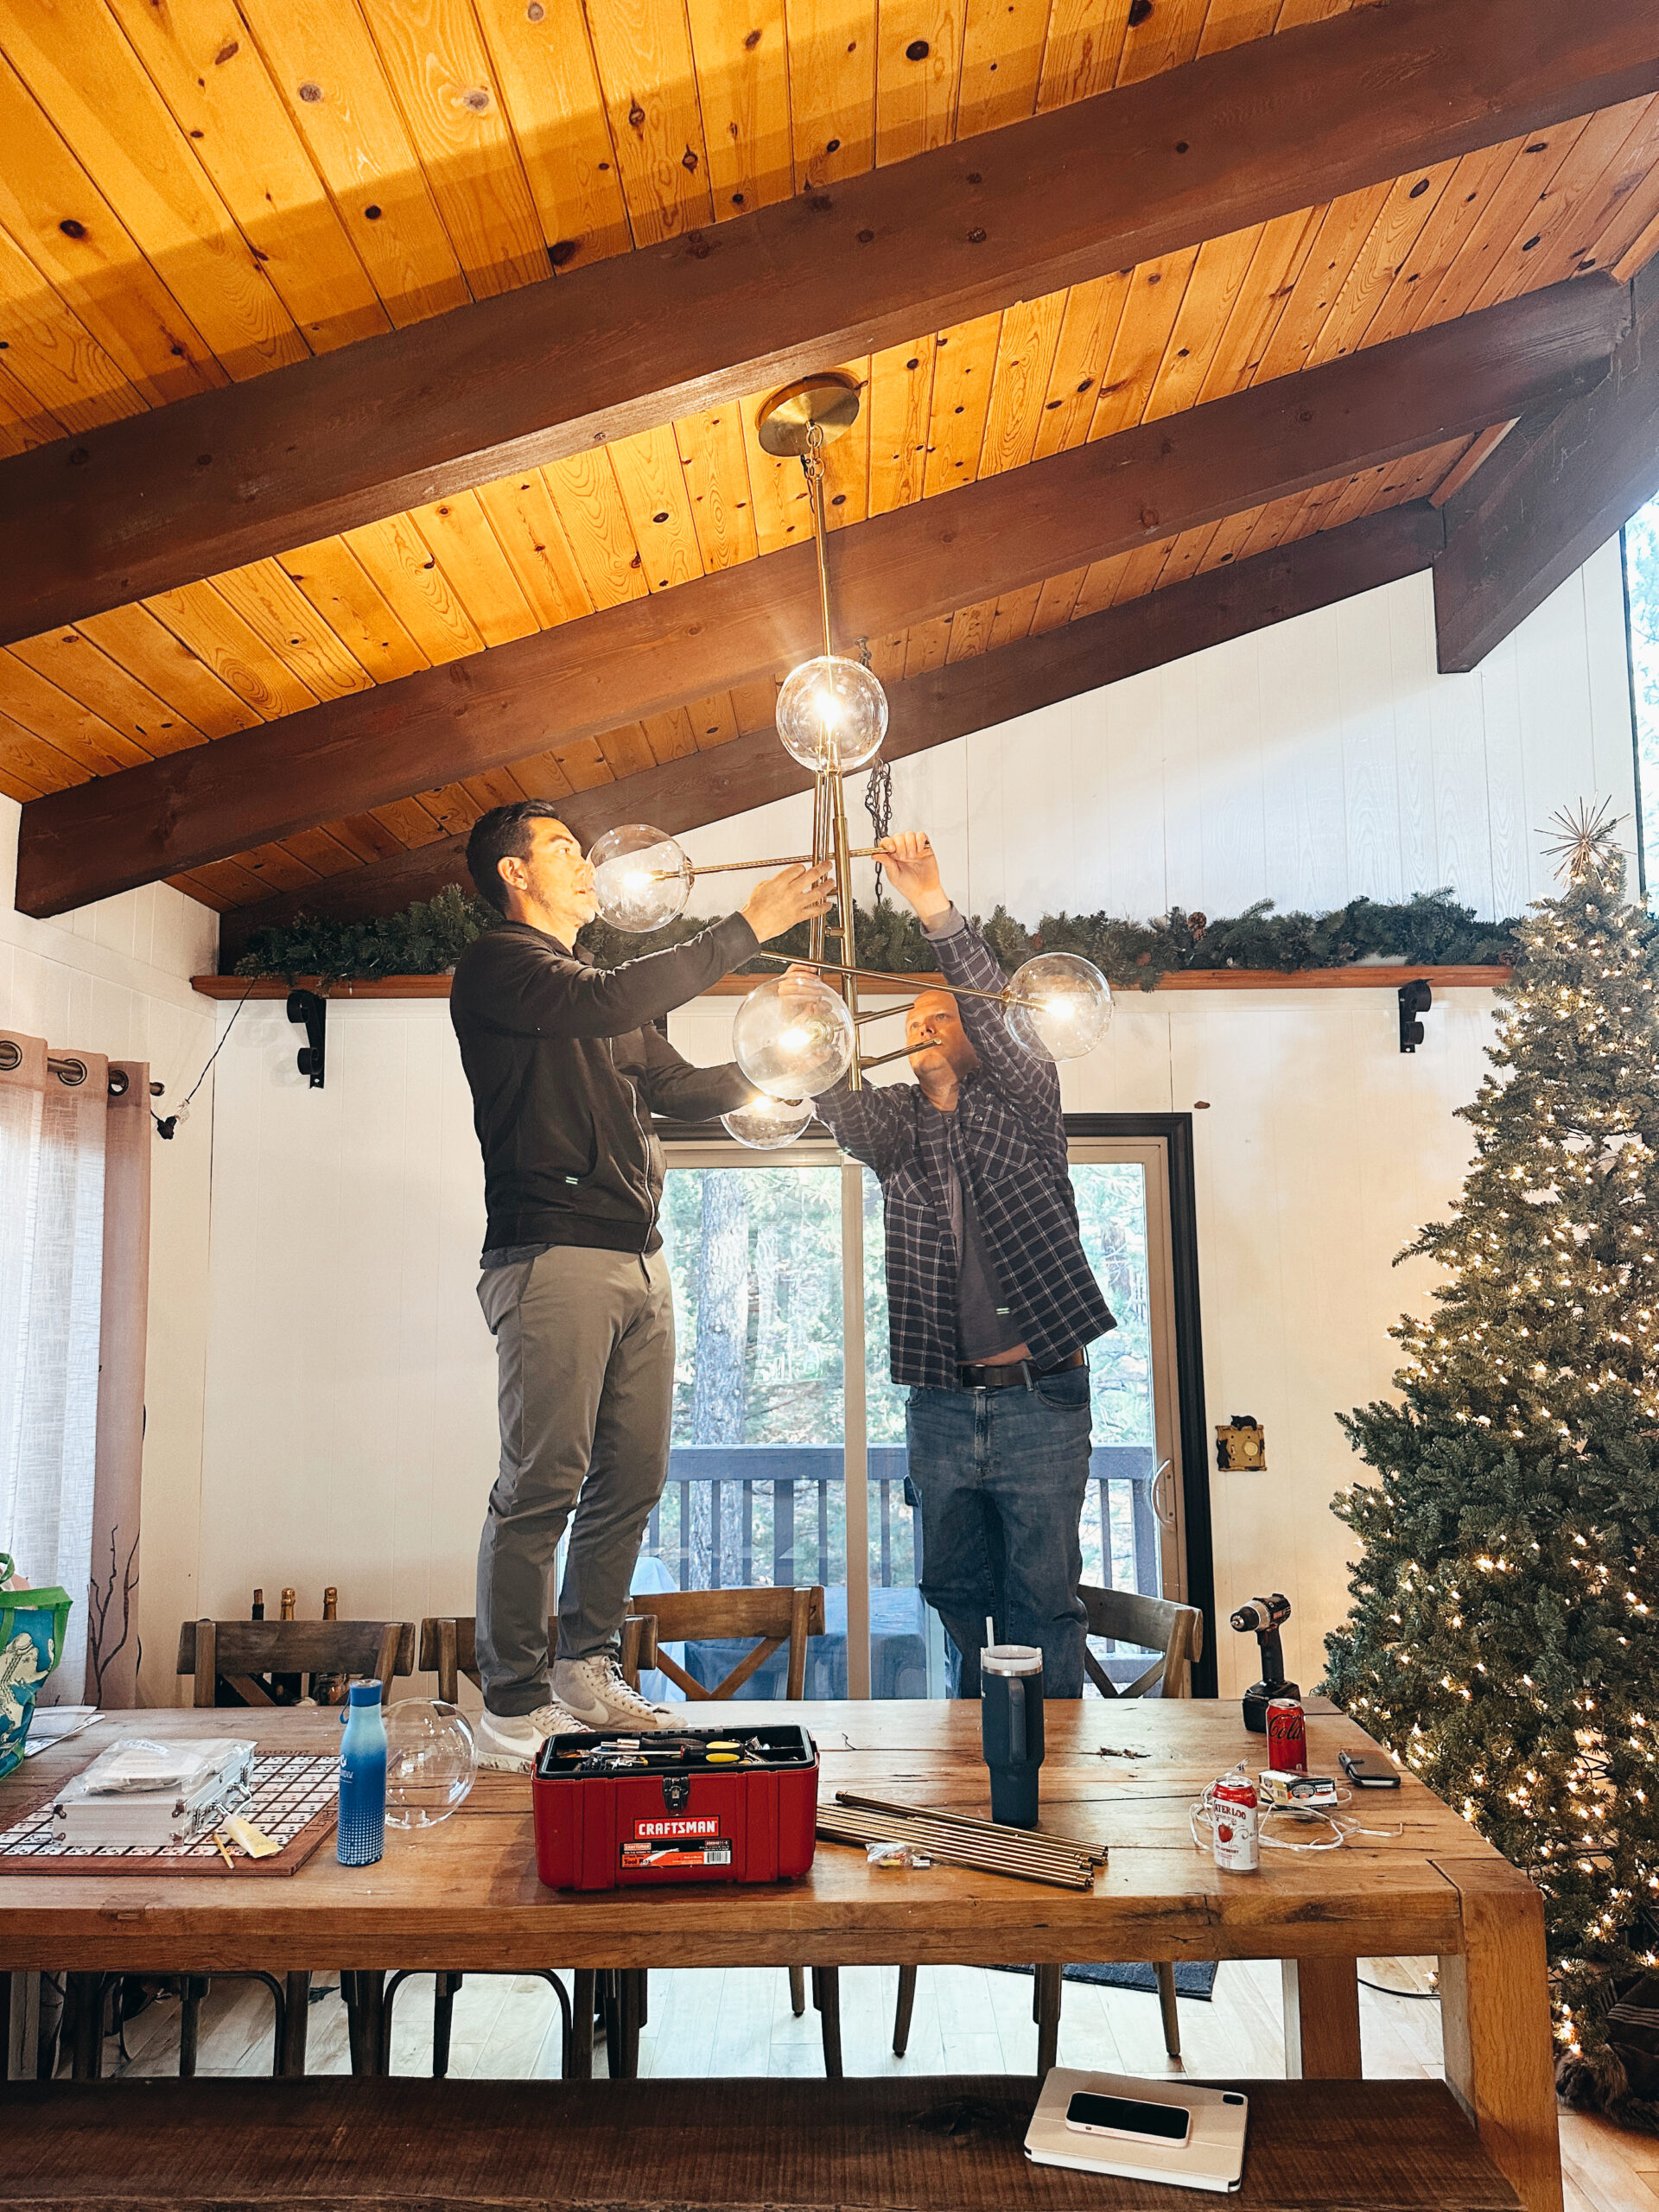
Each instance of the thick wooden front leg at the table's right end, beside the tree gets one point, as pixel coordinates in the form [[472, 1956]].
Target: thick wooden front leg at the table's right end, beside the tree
[[1496, 2025]]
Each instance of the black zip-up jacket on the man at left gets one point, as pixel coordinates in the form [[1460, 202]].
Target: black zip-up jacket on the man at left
[[567, 1070]]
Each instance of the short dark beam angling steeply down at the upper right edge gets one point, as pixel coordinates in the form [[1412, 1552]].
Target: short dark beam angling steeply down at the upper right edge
[[1547, 501]]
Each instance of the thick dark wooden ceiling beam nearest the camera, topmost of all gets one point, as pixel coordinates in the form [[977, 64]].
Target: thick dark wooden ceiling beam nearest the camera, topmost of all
[[550, 371]]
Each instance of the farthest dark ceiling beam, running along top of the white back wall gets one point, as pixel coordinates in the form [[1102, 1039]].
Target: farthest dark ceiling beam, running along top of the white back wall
[[930, 711]]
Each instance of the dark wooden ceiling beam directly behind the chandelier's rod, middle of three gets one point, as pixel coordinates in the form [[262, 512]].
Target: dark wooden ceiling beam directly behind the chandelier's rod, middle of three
[[917, 563]]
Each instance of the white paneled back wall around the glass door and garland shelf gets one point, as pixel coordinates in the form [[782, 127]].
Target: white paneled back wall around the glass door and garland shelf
[[351, 1379]]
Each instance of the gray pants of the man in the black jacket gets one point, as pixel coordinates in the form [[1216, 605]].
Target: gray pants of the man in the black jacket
[[585, 1353]]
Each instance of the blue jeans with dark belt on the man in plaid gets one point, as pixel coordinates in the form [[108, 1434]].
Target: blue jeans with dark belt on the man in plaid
[[1003, 1479]]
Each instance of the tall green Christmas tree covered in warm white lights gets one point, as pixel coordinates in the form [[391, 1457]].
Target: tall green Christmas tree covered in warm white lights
[[1503, 1629]]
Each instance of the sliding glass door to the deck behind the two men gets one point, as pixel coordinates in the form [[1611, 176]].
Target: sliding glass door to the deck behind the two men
[[789, 1452]]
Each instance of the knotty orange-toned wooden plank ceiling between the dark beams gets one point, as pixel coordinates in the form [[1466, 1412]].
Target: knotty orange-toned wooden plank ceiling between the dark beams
[[207, 191]]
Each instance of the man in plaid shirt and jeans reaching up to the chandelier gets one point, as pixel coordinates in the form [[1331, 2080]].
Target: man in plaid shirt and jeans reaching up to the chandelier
[[990, 1300]]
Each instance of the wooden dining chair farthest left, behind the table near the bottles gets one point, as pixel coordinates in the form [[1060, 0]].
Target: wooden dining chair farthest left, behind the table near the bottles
[[240, 1653]]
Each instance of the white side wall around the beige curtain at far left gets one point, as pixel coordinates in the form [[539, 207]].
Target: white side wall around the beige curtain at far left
[[116, 979]]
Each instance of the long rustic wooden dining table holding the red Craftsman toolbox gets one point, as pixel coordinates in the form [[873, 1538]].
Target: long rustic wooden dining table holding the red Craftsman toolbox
[[466, 1895]]
